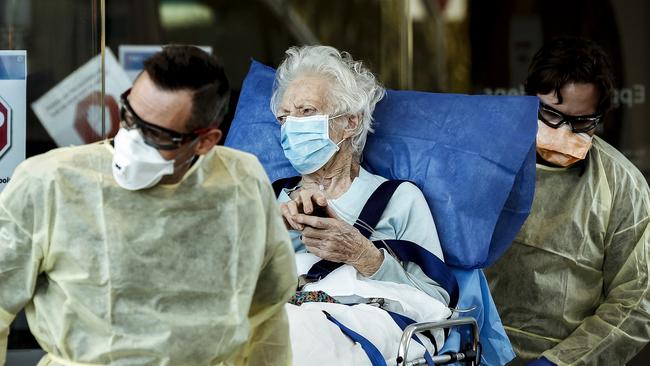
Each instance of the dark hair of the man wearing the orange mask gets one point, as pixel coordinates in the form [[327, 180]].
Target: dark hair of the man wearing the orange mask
[[571, 60]]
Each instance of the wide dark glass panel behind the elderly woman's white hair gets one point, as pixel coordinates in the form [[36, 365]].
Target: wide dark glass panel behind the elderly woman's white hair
[[404, 42]]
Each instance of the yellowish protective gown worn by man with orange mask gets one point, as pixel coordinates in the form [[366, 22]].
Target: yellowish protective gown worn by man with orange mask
[[574, 285]]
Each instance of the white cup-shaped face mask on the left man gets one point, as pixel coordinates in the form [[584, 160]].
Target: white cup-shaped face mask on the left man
[[137, 165]]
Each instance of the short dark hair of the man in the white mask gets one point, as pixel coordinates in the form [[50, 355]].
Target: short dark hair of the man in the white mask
[[179, 67]]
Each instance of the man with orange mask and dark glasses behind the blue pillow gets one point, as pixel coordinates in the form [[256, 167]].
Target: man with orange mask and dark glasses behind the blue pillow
[[574, 289]]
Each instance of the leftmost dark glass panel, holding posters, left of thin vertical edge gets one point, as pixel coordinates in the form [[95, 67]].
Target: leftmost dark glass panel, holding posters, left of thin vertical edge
[[58, 37]]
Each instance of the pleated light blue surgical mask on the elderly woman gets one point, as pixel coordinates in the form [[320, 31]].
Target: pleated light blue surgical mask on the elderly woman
[[306, 142]]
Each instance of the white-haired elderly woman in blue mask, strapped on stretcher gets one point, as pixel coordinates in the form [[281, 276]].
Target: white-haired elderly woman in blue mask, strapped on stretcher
[[324, 101]]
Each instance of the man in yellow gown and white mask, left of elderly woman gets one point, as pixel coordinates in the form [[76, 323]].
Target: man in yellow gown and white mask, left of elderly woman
[[156, 248]]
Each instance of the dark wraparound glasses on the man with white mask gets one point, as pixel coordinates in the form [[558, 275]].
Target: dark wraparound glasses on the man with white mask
[[153, 135]]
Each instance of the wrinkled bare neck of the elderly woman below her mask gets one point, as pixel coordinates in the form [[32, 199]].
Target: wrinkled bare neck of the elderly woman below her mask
[[335, 178]]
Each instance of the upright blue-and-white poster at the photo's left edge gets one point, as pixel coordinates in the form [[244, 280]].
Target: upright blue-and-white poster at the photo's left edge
[[13, 108]]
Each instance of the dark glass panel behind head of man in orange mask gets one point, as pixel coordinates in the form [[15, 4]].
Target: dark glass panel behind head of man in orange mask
[[504, 39]]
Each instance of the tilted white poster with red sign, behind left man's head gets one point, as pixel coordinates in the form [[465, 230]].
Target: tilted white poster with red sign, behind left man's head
[[71, 111]]
